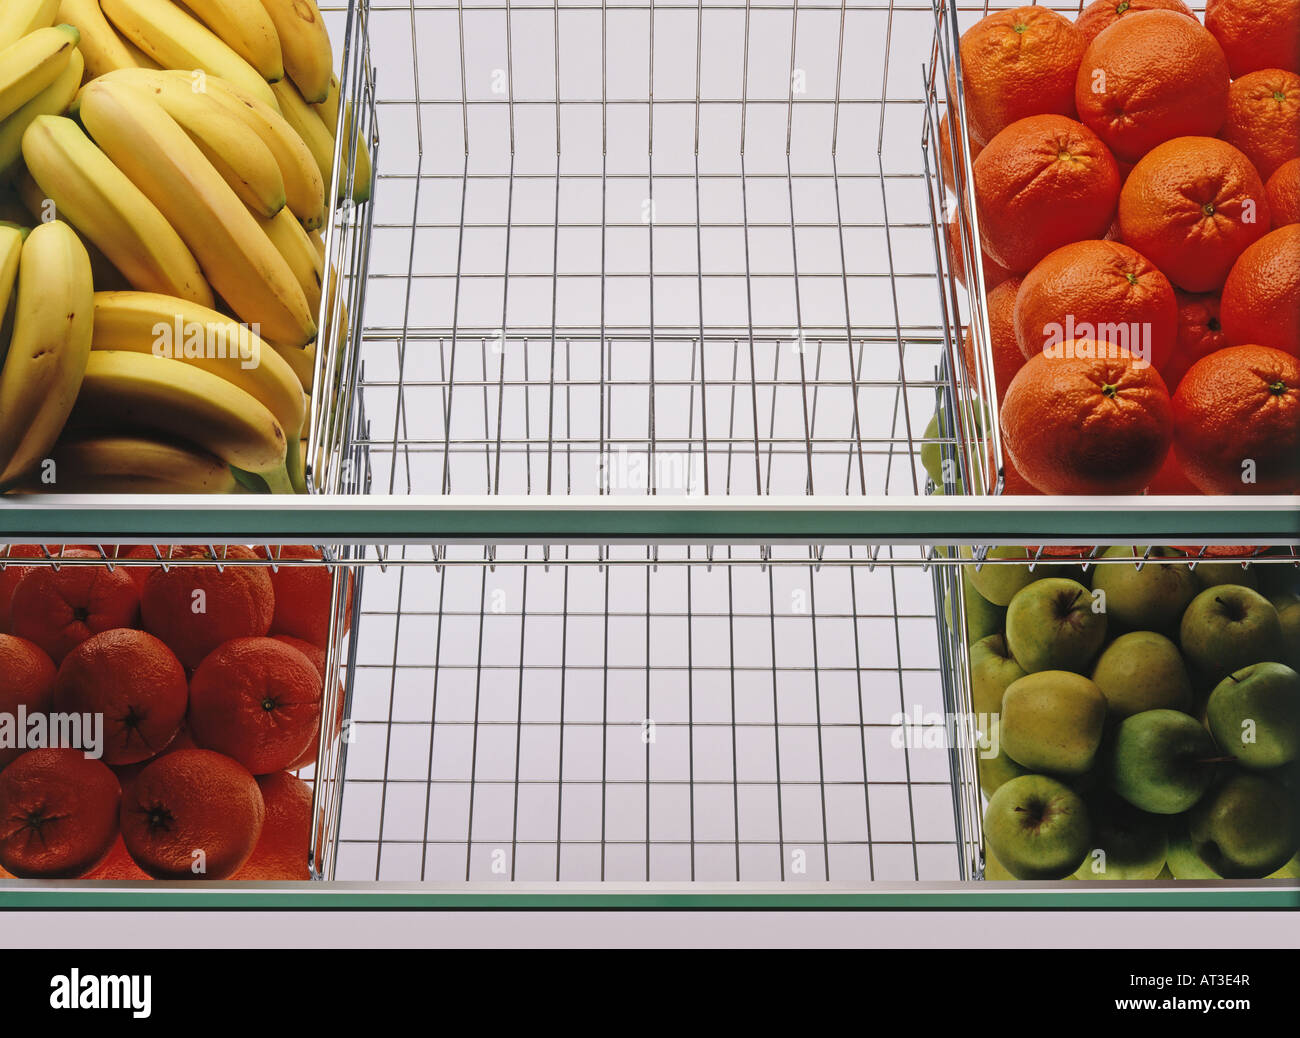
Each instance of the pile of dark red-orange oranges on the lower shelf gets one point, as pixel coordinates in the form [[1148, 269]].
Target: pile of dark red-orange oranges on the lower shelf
[[210, 685]]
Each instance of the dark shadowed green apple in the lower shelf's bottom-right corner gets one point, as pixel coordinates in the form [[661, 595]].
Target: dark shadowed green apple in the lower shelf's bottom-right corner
[[1246, 829]]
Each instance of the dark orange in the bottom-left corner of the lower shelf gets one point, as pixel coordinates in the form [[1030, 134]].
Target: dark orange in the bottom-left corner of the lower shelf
[[58, 814]]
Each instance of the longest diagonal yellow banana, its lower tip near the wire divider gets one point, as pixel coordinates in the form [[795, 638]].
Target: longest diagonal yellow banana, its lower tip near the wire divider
[[236, 256]]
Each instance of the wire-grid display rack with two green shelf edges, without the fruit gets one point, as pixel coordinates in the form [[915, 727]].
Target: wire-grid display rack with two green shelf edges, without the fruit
[[653, 585]]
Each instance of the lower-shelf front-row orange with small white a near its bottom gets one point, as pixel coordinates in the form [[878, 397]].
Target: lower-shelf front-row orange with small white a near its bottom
[[193, 815]]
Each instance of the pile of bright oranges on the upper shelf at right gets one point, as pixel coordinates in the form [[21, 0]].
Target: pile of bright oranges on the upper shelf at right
[[1137, 179]]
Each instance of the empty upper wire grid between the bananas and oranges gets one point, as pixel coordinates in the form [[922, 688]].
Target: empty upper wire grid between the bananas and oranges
[[651, 249]]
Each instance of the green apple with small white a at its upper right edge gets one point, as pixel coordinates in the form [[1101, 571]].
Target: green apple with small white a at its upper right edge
[[1054, 625]]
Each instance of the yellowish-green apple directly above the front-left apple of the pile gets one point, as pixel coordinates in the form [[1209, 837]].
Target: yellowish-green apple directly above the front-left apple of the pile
[[1052, 721]]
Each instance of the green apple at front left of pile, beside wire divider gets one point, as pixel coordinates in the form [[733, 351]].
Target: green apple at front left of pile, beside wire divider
[[1038, 828]]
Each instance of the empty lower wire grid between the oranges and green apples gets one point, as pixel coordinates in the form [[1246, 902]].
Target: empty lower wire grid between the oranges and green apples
[[645, 723]]
